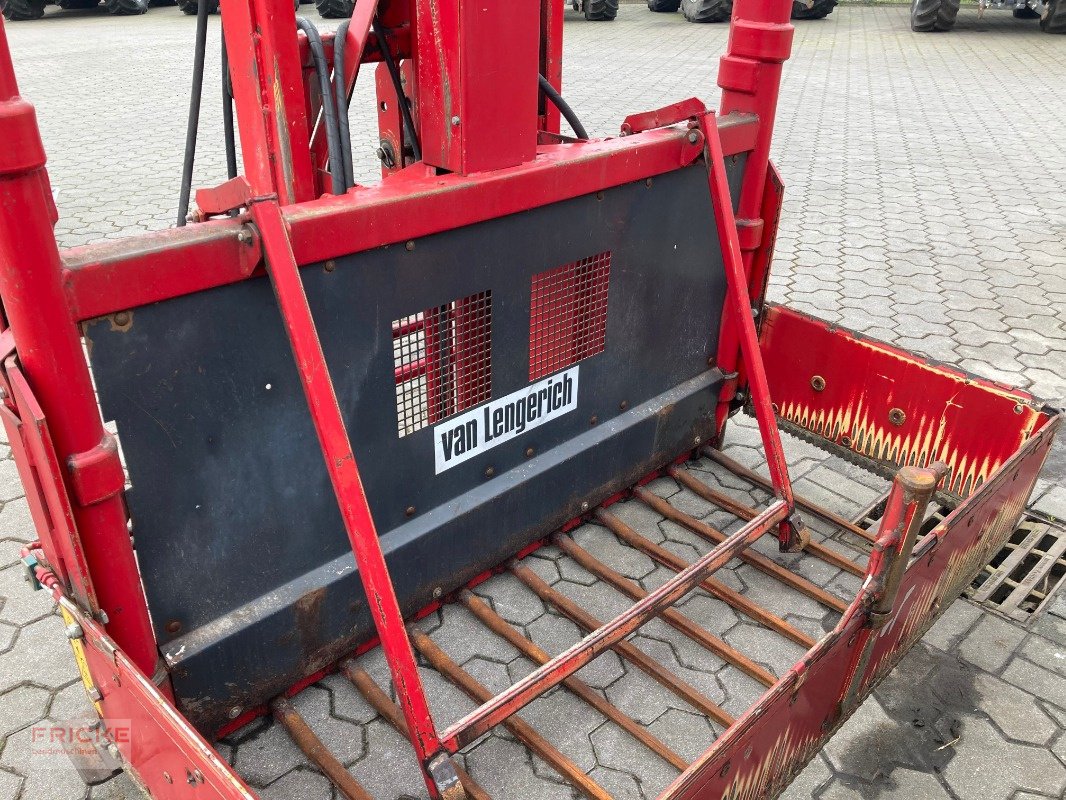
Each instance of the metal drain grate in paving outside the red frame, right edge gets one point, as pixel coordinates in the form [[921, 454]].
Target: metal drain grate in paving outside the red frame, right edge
[[1030, 569]]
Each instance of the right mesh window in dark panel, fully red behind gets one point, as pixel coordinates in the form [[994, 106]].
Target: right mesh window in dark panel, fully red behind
[[569, 314]]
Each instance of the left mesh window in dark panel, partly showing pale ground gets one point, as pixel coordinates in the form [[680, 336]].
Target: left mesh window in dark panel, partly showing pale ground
[[443, 360]]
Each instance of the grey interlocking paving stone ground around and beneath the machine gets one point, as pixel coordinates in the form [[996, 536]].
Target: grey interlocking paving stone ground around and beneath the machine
[[925, 205]]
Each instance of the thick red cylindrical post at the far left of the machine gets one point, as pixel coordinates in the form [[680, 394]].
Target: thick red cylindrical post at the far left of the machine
[[50, 349]]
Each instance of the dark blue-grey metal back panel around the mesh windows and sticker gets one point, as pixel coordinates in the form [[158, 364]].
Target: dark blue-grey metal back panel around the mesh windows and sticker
[[238, 535]]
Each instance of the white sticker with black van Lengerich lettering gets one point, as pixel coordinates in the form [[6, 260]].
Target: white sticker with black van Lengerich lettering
[[481, 429]]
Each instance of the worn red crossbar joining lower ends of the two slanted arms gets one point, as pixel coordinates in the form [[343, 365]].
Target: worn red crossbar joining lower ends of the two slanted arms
[[606, 636]]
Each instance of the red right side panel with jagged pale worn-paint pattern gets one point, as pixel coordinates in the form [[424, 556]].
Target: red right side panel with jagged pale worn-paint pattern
[[890, 406]]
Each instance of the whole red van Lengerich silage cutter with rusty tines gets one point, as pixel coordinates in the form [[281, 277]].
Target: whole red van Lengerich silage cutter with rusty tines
[[367, 428]]
